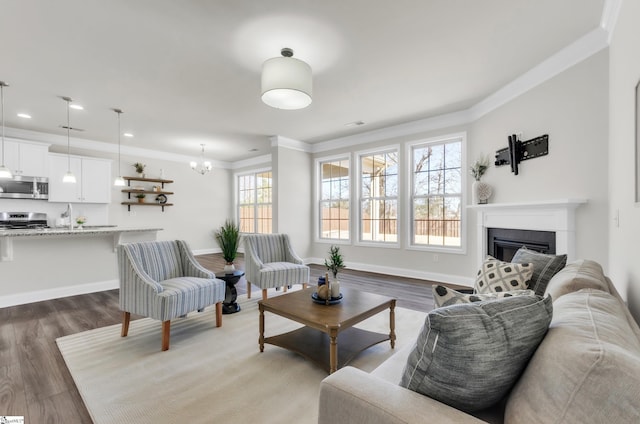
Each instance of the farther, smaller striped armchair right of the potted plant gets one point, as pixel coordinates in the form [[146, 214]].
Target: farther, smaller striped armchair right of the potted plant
[[270, 261]]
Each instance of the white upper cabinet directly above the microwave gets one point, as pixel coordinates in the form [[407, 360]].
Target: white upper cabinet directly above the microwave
[[26, 159]]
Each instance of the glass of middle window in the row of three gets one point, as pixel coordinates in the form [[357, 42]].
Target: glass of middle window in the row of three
[[379, 197]]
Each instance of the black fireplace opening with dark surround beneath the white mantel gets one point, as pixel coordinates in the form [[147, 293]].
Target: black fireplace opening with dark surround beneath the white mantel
[[503, 243]]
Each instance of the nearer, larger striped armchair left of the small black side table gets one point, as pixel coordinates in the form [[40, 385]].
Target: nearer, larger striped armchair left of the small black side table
[[162, 280]]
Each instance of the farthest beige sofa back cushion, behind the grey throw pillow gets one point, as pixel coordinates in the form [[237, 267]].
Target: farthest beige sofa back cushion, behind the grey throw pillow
[[580, 274]]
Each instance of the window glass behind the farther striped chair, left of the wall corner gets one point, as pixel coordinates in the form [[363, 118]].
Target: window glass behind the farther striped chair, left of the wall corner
[[254, 202]]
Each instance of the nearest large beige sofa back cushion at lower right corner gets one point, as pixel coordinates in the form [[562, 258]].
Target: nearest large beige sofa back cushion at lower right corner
[[586, 370]]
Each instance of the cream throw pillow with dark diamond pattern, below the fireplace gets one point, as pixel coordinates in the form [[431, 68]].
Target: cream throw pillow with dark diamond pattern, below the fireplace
[[497, 276]]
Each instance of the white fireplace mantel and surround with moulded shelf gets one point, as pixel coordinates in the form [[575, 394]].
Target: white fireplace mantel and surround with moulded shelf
[[553, 215]]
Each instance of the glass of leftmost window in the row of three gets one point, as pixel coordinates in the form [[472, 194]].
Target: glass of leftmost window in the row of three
[[334, 199]]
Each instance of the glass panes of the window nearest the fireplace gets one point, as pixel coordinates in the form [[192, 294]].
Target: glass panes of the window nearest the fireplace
[[436, 193]]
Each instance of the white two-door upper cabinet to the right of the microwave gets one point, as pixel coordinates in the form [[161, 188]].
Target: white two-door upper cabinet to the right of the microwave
[[93, 179]]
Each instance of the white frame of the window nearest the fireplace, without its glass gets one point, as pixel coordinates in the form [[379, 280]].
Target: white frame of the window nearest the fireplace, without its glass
[[462, 249]]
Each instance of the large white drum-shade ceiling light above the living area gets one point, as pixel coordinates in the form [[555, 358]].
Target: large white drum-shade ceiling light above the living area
[[286, 82]]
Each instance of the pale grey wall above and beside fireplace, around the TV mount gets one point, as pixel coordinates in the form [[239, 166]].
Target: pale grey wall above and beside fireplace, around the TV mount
[[572, 109]]
